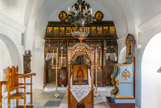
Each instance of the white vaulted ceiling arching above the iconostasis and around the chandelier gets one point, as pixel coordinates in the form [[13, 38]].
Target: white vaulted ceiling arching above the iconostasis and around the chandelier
[[35, 14]]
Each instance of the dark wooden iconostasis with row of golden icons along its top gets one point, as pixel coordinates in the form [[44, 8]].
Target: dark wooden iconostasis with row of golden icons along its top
[[58, 35]]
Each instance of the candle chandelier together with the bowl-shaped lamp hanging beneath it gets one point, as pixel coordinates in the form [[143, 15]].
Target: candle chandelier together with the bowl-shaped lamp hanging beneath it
[[79, 16]]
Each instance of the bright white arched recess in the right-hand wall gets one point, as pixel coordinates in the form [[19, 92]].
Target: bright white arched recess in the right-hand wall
[[151, 79]]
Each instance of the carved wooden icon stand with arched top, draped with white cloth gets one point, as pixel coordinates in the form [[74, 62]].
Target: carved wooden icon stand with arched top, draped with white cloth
[[80, 76]]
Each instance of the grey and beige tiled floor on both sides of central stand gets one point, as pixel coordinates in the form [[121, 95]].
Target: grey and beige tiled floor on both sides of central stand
[[40, 98]]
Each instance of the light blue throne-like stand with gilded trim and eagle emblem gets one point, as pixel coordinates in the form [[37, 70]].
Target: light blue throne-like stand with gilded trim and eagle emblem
[[123, 79]]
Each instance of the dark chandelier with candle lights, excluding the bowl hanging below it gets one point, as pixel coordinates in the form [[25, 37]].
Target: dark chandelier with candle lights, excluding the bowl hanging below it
[[80, 15]]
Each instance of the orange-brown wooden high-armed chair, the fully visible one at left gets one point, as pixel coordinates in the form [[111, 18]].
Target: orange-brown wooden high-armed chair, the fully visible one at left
[[14, 85]]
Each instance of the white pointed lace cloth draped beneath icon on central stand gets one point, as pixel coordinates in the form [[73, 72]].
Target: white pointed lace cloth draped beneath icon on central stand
[[80, 91]]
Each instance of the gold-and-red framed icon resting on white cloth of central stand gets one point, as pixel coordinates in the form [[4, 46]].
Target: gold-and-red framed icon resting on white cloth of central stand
[[80, 74]]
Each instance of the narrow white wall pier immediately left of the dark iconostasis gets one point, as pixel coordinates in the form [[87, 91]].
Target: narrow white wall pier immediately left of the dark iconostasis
[[38, 62]]
